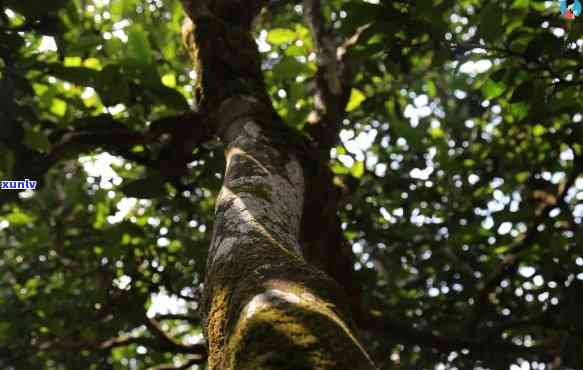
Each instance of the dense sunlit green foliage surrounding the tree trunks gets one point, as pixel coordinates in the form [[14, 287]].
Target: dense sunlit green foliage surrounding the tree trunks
[[460, 164]]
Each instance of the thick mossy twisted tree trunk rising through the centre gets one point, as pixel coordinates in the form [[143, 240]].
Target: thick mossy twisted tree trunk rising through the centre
[[265, 307]]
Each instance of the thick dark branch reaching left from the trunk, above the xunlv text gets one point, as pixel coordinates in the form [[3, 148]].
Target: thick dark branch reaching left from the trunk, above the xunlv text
[[186, 131]]
